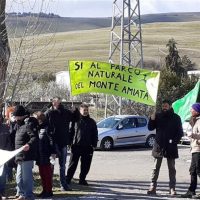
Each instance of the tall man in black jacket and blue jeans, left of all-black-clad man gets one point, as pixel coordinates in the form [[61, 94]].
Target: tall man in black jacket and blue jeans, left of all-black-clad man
[[59, 119]]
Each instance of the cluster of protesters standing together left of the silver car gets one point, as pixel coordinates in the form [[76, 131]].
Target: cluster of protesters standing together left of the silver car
[[45, 136]]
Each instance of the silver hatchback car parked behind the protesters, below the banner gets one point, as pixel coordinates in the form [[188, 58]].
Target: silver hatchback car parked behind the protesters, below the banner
[[121, 130]]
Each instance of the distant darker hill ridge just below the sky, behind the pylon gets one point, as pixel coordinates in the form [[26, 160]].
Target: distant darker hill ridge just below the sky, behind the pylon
[[18, 24]]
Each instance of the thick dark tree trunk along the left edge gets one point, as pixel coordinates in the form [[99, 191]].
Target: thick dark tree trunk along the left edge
[[4, 49]]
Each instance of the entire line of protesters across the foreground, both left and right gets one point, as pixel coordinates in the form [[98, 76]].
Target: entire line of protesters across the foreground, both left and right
[[47, 135]]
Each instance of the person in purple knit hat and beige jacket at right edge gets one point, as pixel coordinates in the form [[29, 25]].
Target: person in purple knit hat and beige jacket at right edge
[[195, 150]]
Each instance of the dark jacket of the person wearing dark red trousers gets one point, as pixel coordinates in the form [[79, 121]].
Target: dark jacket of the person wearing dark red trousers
[[46, 146]]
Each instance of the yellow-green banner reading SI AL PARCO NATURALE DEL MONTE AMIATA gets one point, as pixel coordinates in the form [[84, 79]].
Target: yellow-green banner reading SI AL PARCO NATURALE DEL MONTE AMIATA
[[137, 84]]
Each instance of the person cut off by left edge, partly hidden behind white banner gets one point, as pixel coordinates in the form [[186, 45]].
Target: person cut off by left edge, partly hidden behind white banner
[[4, 145]]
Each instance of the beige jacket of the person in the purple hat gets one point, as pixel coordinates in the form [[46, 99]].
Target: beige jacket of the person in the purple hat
[[195, 138]]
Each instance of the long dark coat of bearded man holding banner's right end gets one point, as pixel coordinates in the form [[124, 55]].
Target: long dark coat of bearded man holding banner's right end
[[168, 132]]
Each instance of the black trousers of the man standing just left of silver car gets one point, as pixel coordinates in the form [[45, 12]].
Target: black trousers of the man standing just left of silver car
[[86, 154]]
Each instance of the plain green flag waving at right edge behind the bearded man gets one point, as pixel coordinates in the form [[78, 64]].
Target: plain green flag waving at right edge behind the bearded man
[[182, 106]]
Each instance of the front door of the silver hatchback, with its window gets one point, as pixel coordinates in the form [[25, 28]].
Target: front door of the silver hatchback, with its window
[[126, 131]]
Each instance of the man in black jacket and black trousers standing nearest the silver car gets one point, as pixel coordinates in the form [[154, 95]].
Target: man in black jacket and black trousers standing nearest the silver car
[[84, 139]]
